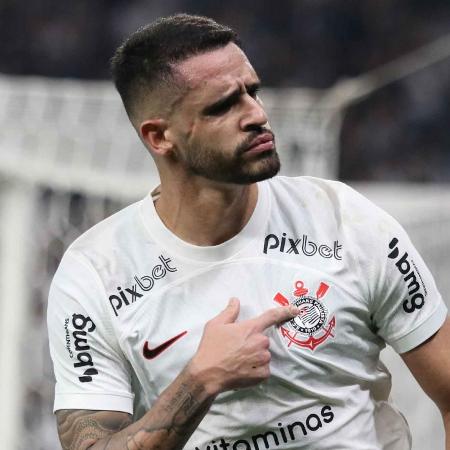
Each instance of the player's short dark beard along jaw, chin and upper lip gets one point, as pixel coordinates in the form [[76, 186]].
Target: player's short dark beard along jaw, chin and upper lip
[[236, 168]]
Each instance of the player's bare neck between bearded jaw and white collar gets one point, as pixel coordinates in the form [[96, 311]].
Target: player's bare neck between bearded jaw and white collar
[[208, 214]]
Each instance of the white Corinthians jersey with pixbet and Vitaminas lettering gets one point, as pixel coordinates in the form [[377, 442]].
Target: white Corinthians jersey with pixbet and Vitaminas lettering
[[130, 299]]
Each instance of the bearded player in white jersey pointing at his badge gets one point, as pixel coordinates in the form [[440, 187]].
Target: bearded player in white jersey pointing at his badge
[[149, 350]]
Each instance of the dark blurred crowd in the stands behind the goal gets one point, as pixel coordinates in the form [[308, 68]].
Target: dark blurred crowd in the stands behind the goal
[[399, 133]]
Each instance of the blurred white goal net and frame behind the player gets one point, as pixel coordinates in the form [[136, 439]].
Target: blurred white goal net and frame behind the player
[[69, 158]]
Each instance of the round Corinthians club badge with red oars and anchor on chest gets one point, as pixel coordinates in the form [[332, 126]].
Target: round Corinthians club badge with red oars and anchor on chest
[[311, 327]]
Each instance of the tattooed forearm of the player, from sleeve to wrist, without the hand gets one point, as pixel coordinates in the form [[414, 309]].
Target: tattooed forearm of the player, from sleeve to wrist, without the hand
[[167, 425]]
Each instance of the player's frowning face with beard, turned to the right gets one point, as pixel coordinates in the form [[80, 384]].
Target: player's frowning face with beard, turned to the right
[[219, 127]]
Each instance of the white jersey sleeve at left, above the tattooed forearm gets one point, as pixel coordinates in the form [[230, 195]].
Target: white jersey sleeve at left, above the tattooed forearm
[[90, 369]]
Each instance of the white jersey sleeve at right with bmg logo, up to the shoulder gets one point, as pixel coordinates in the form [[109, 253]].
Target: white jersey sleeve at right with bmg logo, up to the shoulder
[[405, 304]]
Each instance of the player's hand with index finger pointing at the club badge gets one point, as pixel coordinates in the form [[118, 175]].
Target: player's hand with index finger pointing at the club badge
[[234, 354]]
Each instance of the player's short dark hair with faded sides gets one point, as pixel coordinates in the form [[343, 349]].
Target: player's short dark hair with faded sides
[[145, 59]]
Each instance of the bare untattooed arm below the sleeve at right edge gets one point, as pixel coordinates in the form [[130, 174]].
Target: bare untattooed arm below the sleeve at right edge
[[430, 365]]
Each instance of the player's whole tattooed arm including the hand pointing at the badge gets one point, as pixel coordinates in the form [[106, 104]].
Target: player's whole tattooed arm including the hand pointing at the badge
[[230, 356]]
